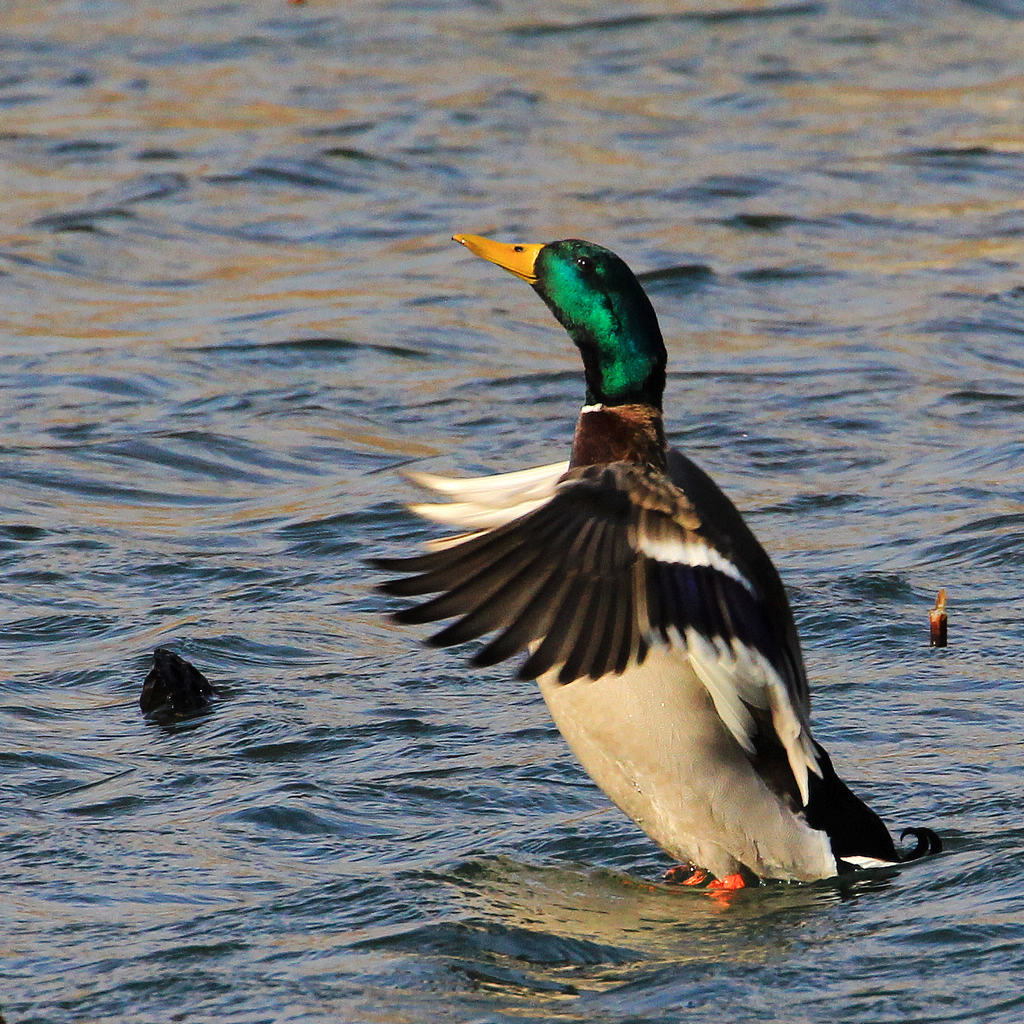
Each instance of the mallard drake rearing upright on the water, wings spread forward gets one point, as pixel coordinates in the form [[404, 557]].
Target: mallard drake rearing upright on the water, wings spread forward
[[655, 623]]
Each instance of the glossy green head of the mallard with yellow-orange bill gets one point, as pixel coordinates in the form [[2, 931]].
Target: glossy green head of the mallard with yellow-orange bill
[[600, 302]]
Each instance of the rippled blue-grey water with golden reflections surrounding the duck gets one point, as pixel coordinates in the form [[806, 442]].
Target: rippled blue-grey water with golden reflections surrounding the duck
[[231, 314]]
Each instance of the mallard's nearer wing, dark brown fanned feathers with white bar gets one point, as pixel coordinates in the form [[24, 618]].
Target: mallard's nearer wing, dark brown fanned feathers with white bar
[[616, 561]]
